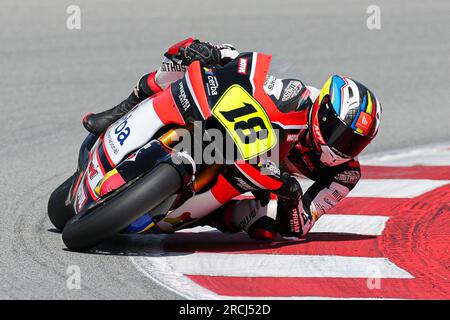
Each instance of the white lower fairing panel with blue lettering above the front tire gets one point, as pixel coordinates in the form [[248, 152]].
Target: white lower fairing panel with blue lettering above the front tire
[[129, 133]]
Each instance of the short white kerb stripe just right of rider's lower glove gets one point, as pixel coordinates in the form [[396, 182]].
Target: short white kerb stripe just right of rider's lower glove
[[347, 223]]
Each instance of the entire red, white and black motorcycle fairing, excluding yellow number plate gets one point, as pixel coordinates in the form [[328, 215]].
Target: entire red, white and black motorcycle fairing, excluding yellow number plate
[[132, 131]]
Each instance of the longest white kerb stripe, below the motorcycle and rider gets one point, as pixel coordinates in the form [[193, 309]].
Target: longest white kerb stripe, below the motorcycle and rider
[[271, 265]]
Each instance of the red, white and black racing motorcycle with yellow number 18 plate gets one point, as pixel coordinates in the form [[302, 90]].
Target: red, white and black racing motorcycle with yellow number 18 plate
[[134, 168]]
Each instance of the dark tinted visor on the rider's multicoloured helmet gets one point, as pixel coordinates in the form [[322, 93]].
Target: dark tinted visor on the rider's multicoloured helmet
[[339, 136]]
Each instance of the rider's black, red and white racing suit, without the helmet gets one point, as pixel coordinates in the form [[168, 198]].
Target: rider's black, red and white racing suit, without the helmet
[[286, 211]]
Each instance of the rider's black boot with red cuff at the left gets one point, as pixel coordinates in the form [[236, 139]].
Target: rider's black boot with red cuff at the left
[[97, 123]]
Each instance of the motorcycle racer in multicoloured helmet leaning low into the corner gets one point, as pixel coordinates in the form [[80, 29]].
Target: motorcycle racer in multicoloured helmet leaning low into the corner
[[343, 117]]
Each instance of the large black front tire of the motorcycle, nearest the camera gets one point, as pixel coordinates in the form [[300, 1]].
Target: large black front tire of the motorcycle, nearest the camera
[[83, 232]]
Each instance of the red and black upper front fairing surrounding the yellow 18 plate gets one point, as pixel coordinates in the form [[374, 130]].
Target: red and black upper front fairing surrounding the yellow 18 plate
[[250, 71]]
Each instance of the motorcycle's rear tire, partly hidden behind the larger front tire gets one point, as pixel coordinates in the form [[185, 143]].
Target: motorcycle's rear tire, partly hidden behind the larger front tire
[[57, 211]]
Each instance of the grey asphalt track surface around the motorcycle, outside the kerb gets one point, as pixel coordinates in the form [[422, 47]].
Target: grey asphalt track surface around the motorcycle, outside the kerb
[[51, 76]]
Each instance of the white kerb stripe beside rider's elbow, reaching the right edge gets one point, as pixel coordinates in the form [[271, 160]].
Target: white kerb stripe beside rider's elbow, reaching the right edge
[[389, 188]]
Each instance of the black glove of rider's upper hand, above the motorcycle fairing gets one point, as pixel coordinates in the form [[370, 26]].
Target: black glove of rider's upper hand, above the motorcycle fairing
[[202, 51]]
